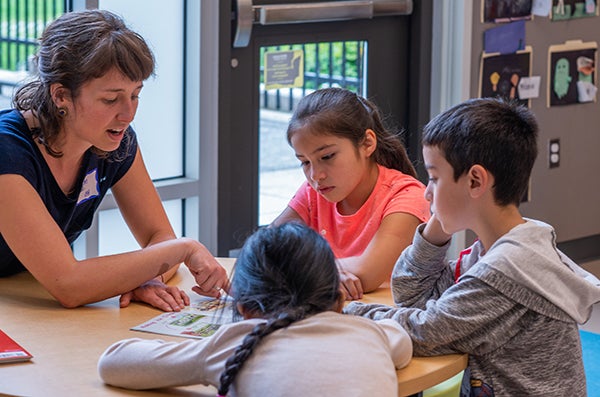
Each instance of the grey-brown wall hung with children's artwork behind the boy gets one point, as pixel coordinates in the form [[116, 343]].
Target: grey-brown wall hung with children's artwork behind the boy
[[563, 53]]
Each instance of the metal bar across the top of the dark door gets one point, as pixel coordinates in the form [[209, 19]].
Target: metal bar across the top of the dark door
[[277, 14]]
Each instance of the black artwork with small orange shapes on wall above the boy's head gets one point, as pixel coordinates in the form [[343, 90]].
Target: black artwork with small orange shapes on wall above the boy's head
[[500, 74]]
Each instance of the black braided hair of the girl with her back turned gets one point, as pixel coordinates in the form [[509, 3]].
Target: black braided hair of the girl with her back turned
[[284, 274]]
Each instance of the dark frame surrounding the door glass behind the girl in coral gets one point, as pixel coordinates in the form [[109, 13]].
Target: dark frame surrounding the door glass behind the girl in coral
[[237, 148]]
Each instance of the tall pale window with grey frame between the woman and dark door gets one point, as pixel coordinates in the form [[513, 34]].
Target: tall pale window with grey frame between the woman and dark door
[[160, 123]]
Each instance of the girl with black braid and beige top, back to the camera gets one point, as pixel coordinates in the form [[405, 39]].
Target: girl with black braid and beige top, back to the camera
[[293, 340]]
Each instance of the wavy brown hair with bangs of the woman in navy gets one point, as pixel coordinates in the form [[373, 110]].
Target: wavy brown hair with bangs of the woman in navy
[[74, 49]]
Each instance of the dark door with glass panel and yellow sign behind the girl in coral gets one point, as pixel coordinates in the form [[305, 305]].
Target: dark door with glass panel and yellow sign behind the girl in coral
[[276, 54]]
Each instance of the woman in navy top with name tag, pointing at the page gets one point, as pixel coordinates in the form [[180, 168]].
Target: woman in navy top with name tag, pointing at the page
[[67, 141]]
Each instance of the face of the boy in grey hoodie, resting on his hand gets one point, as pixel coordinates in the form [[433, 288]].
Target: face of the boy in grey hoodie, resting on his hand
[[448, 198]]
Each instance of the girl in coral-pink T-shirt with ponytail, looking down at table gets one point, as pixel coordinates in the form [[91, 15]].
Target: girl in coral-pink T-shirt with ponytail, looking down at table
[[361, 191]]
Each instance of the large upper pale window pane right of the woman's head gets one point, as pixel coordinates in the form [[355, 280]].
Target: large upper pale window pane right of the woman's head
[[159, 119]]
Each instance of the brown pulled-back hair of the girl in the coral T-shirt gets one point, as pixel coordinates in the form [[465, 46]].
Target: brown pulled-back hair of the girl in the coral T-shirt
[[342, 113]]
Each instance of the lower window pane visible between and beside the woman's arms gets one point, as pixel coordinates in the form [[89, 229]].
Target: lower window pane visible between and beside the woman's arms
[[115, 236]]
